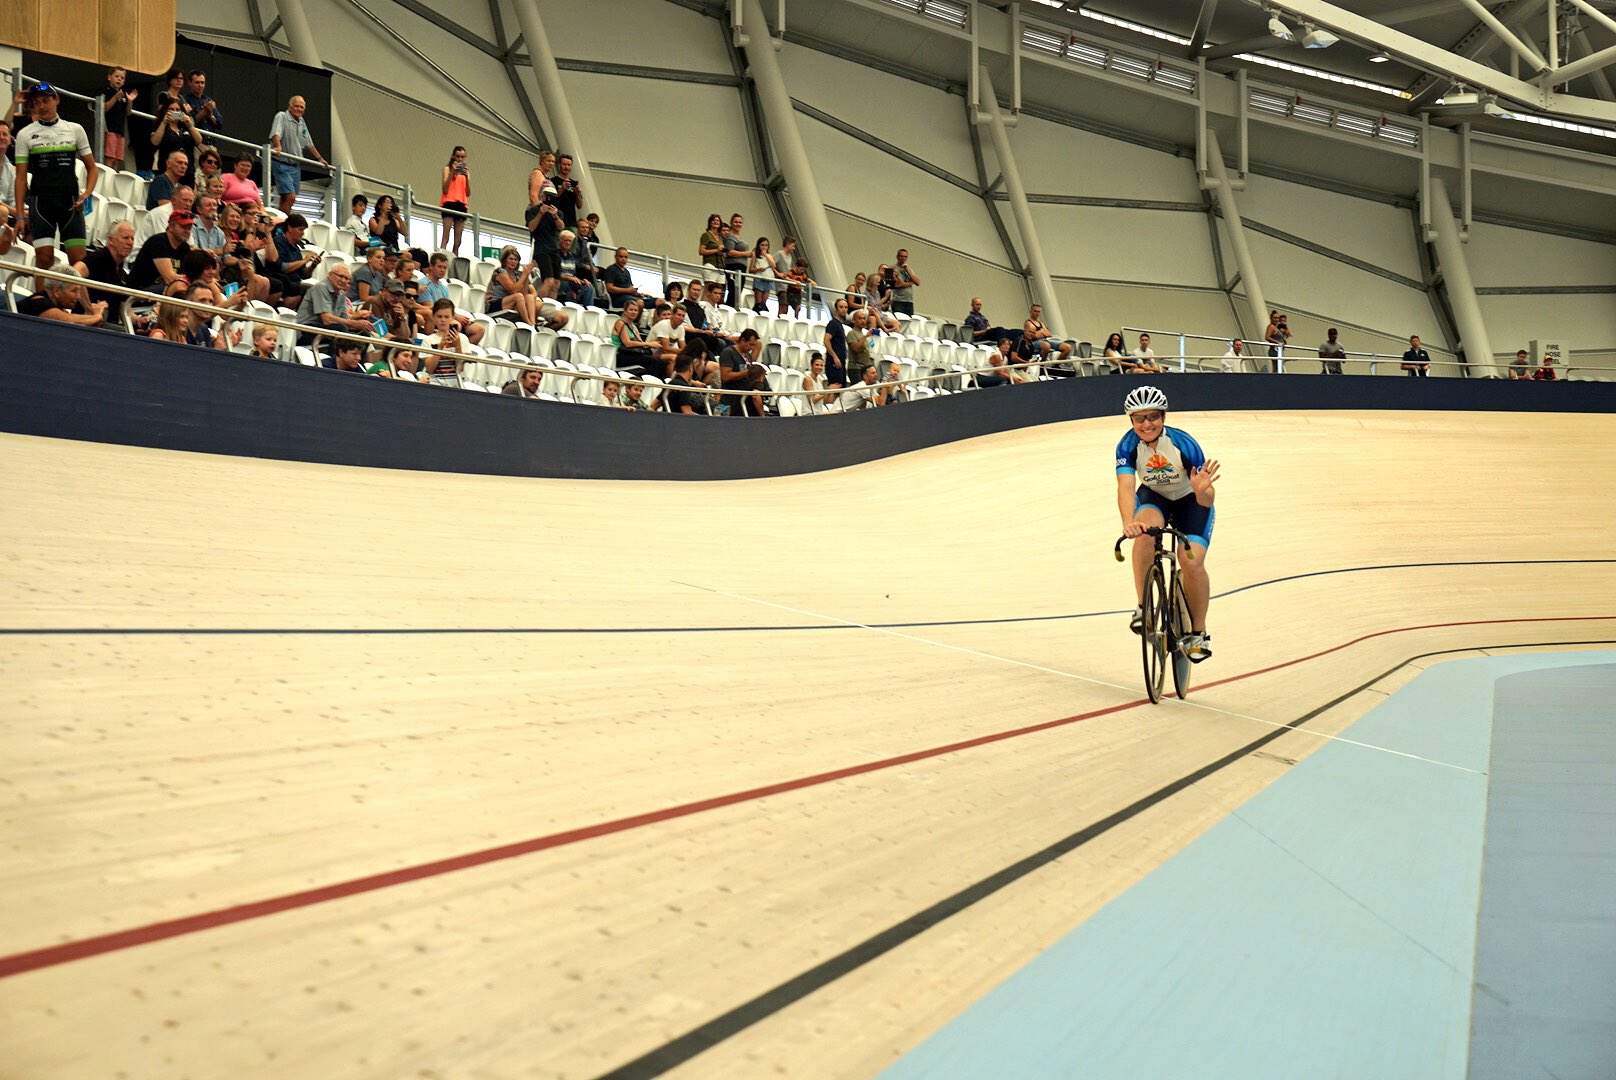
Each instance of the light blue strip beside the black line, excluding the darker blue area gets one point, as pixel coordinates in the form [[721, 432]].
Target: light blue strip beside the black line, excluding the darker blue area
[[1328, 929]]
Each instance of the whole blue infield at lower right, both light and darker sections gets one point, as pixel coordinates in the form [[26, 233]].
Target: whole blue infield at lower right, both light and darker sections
[[1329, 926]]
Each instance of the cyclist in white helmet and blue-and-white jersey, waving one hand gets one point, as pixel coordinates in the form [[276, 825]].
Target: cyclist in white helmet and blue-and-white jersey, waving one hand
[[1164, 479]]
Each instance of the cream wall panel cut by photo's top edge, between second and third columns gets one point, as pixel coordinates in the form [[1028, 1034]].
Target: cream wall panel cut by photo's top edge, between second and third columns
[[649, 33]]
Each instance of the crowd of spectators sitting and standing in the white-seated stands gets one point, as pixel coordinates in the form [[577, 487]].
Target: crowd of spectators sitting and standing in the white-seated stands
[[211, 237]]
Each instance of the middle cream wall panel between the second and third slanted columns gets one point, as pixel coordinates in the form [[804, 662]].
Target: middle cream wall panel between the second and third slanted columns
[[618, 119]]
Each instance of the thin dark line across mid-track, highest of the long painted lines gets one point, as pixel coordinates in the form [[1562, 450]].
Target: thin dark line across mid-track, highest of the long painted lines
[[411, 631]]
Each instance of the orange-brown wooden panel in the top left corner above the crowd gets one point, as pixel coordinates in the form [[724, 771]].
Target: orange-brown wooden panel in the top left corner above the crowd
[[137, 35]]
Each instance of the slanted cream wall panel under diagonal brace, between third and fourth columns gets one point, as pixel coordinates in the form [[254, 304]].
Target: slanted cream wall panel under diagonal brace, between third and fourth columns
[[875, 185]]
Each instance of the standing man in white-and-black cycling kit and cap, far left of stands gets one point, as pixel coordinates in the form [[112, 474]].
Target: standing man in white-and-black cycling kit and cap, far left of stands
[[48, 188]]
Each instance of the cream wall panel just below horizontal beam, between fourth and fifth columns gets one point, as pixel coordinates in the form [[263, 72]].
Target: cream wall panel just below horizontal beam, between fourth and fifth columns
[[1159, 247]]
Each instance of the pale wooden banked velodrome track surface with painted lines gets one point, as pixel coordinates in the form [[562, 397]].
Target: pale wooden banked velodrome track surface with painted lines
[[688, 816]]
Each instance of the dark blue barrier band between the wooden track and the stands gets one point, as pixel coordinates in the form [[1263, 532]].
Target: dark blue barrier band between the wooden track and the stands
[[104, 387]]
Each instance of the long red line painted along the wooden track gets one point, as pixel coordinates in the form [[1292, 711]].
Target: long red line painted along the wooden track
[[65, 953]]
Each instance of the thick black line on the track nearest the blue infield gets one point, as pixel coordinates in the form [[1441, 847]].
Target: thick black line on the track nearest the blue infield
[[744, 1016]]
